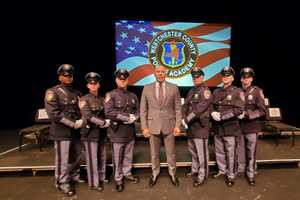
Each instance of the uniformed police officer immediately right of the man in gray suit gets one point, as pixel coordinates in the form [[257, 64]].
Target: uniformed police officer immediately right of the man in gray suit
[[195, 112]]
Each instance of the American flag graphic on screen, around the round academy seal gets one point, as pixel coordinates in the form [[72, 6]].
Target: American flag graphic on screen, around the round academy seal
[[133, 39]]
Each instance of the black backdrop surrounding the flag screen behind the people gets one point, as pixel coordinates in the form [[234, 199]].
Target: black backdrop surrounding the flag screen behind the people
[[36, 39]]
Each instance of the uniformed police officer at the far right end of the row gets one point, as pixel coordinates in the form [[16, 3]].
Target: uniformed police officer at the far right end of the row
[[251, 124]]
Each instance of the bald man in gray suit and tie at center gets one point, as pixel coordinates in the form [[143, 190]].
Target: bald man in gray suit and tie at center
[[160, 111]]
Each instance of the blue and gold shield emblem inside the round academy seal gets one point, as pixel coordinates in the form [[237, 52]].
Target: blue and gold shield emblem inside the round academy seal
[[173, 54]]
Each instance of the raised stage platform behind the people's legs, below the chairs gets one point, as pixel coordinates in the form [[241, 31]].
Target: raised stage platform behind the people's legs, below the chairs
[[267, 153]]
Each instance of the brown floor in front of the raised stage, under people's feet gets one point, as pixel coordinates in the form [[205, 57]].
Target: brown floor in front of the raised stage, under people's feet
[[271, 184]]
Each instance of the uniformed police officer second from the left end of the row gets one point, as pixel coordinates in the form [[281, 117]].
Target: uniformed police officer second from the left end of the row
[[94, 134]]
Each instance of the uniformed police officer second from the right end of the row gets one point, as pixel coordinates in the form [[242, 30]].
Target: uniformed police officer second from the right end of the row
[[228, 103]]
